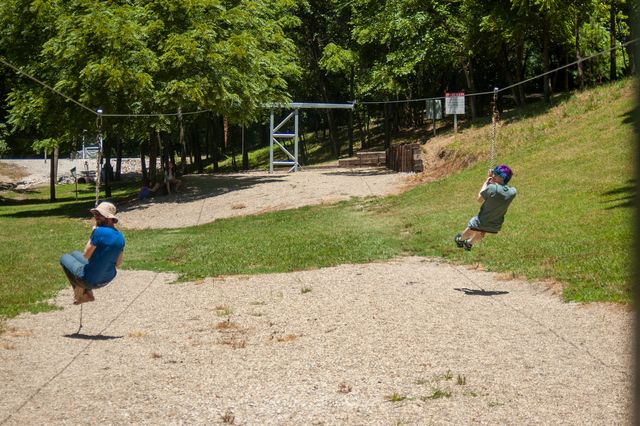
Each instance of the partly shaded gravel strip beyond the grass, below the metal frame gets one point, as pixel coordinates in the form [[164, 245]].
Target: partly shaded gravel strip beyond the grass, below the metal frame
[[206, 198]]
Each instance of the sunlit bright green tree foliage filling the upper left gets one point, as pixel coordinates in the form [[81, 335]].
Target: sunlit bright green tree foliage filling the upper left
[[131, 57]]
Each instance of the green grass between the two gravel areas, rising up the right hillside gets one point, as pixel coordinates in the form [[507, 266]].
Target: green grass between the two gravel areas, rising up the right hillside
[[571, 221]]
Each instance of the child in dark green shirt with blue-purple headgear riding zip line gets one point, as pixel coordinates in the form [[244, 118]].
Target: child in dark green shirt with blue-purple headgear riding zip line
[[495, 196]]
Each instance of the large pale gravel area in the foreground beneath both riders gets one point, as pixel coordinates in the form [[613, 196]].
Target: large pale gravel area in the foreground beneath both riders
[[410, 341]]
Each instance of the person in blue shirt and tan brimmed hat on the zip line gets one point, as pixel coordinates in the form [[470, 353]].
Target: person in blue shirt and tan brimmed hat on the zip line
[[96, 266]]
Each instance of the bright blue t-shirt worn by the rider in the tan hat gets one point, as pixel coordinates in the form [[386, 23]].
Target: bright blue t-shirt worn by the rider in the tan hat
[[101, 268]]
